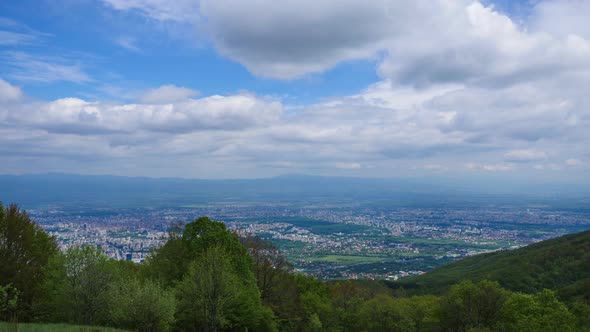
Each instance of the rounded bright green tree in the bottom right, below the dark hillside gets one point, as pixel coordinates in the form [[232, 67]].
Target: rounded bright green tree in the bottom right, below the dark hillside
[[540, 312]]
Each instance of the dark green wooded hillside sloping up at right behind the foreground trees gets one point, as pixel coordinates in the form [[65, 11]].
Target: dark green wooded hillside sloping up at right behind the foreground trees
[[561, 264]]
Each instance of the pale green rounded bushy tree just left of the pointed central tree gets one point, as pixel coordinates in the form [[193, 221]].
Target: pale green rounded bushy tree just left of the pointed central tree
[[141, 306]]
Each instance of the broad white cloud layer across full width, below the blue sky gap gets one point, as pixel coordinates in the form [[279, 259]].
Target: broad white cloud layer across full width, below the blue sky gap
[[381, 128]]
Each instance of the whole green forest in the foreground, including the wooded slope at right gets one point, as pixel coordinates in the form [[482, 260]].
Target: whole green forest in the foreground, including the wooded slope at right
[[206, 278]]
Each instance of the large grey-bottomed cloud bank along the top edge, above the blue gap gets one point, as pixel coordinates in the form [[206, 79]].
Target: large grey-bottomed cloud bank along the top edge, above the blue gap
[[421, 42]]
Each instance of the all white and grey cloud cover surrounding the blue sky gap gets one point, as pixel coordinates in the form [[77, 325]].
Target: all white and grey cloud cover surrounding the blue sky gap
[[462, 86]]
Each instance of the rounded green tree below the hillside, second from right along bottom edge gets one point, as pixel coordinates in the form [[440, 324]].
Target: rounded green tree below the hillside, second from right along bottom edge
[[469, 305]]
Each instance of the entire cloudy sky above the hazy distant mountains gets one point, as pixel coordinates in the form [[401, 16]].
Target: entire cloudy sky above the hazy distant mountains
[[260, 88]]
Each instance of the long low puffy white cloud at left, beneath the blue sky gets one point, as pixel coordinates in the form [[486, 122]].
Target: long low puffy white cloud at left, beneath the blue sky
[[73, 115]]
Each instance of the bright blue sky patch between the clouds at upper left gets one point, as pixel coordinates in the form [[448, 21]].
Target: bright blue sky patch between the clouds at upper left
[[126, 50]]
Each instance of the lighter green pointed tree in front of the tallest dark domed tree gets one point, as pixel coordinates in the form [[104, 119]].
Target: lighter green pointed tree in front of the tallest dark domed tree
[[213, 297]]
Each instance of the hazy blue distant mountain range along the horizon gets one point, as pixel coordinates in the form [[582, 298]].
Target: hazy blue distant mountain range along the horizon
[[120, 191]]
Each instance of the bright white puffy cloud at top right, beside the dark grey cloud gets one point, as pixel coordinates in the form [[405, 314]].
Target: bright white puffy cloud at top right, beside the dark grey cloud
[[475, 45]]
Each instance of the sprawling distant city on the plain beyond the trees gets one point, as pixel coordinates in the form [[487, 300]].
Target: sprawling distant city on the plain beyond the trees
[[327, 241]]
